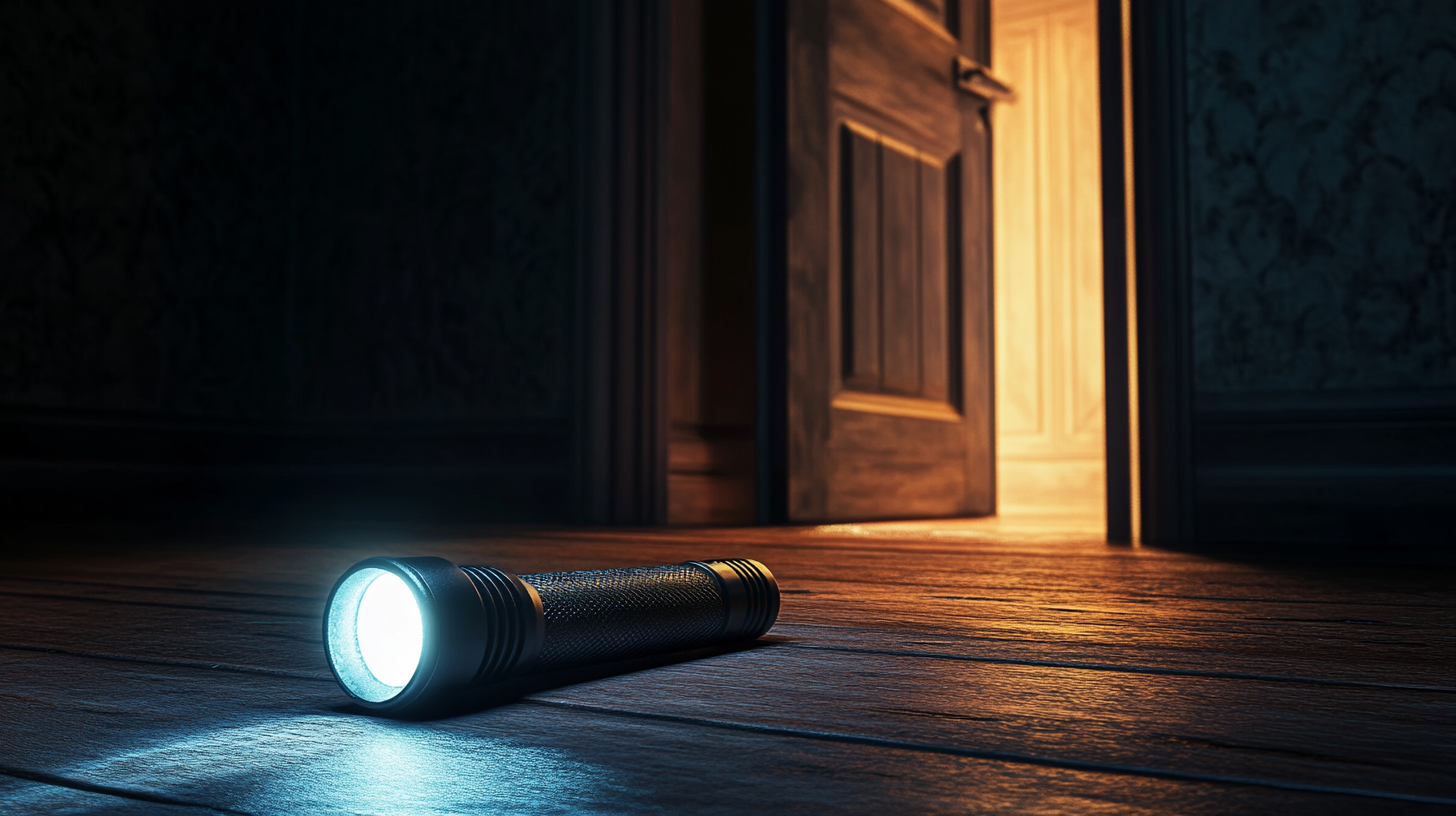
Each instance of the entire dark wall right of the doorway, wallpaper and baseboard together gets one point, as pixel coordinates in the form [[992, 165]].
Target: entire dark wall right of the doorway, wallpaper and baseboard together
[[1323, 263]]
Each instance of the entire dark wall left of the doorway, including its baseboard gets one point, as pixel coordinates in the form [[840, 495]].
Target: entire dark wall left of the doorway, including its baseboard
[[288, 254]]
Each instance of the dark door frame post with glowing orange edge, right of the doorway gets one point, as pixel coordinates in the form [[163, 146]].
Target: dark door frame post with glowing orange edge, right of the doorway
[[1145, 246]]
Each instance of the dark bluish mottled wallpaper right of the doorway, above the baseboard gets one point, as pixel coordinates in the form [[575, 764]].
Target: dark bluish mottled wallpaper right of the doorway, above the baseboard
[[1323, 177]]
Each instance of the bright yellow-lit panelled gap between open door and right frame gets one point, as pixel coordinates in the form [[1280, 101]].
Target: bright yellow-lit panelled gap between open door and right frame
[[1051, 419]]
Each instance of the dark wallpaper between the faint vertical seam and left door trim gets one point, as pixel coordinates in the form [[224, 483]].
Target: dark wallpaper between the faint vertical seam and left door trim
[[436, 212]]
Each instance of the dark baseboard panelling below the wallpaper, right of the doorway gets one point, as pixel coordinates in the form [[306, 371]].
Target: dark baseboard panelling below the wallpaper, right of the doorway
[[1364, 470]]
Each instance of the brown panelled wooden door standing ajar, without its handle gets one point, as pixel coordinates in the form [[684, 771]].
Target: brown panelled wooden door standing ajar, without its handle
[[889, 337]]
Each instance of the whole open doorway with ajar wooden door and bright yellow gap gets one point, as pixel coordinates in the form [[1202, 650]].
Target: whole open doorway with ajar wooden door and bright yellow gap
[[911, 192]]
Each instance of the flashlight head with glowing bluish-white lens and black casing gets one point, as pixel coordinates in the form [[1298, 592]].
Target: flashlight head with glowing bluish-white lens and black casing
[[400, 632]]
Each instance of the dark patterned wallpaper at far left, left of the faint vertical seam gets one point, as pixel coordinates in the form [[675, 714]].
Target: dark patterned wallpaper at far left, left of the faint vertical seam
[[143, 155]]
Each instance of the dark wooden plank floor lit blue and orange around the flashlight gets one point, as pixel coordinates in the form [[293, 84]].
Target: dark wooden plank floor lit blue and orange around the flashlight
[[917, 668]]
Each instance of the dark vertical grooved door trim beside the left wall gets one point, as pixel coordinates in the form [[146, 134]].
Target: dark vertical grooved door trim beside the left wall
[[622, 423]]
